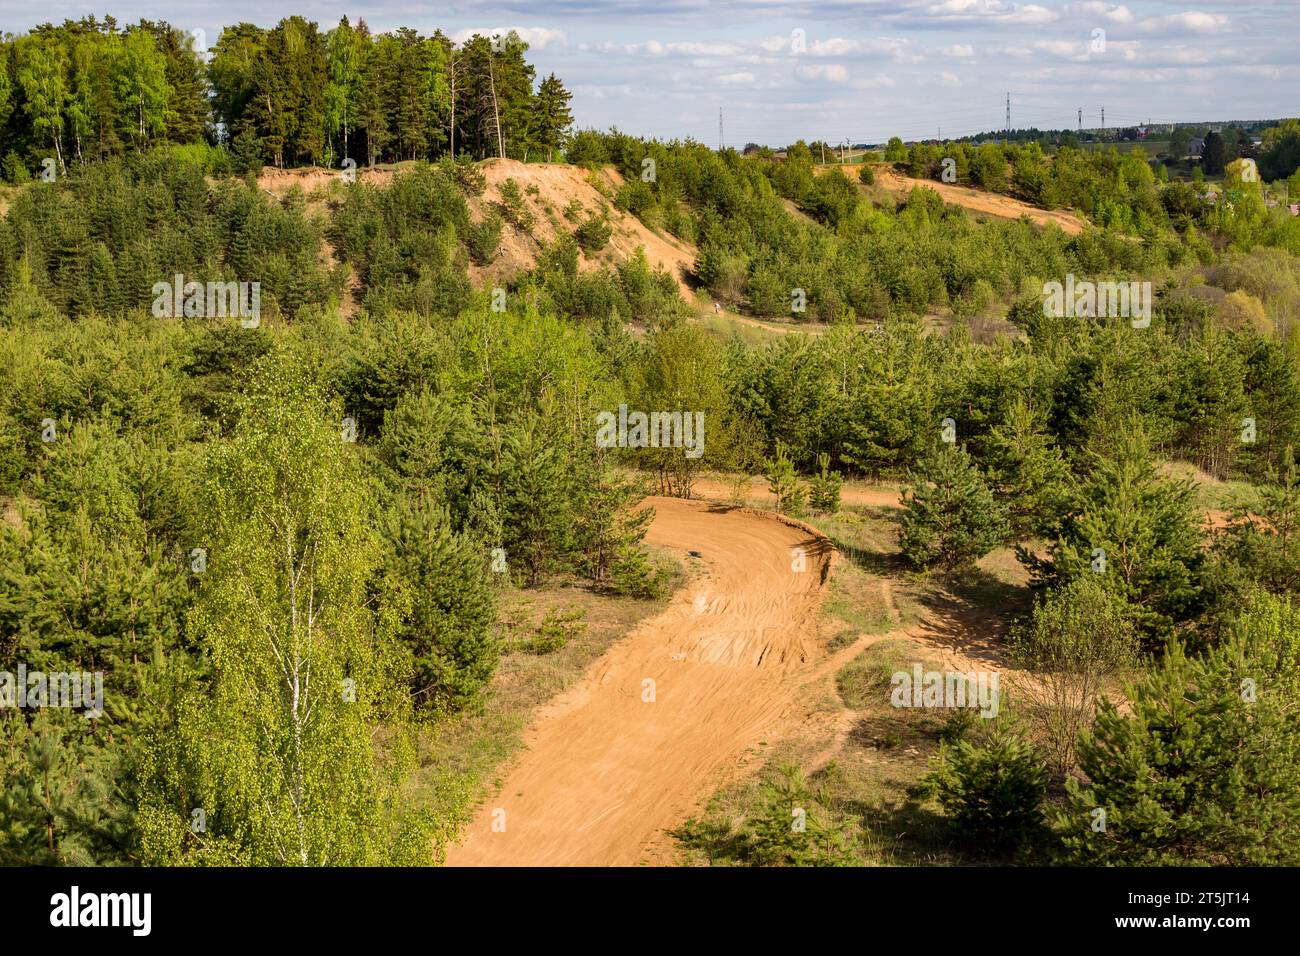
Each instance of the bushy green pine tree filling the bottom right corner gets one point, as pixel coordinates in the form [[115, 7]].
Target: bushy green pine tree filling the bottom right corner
[[1203, 764]]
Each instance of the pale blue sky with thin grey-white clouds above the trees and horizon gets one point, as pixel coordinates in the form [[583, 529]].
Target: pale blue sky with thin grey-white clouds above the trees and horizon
[[843, 70]]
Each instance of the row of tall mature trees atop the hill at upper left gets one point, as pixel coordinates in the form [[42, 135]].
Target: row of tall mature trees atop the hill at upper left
[[287, 96]]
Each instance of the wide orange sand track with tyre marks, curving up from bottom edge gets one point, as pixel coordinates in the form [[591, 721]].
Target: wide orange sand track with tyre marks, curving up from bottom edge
[[608, 768]]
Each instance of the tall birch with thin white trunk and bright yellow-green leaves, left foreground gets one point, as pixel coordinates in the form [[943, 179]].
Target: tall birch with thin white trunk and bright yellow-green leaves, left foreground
[[296, 750]]
